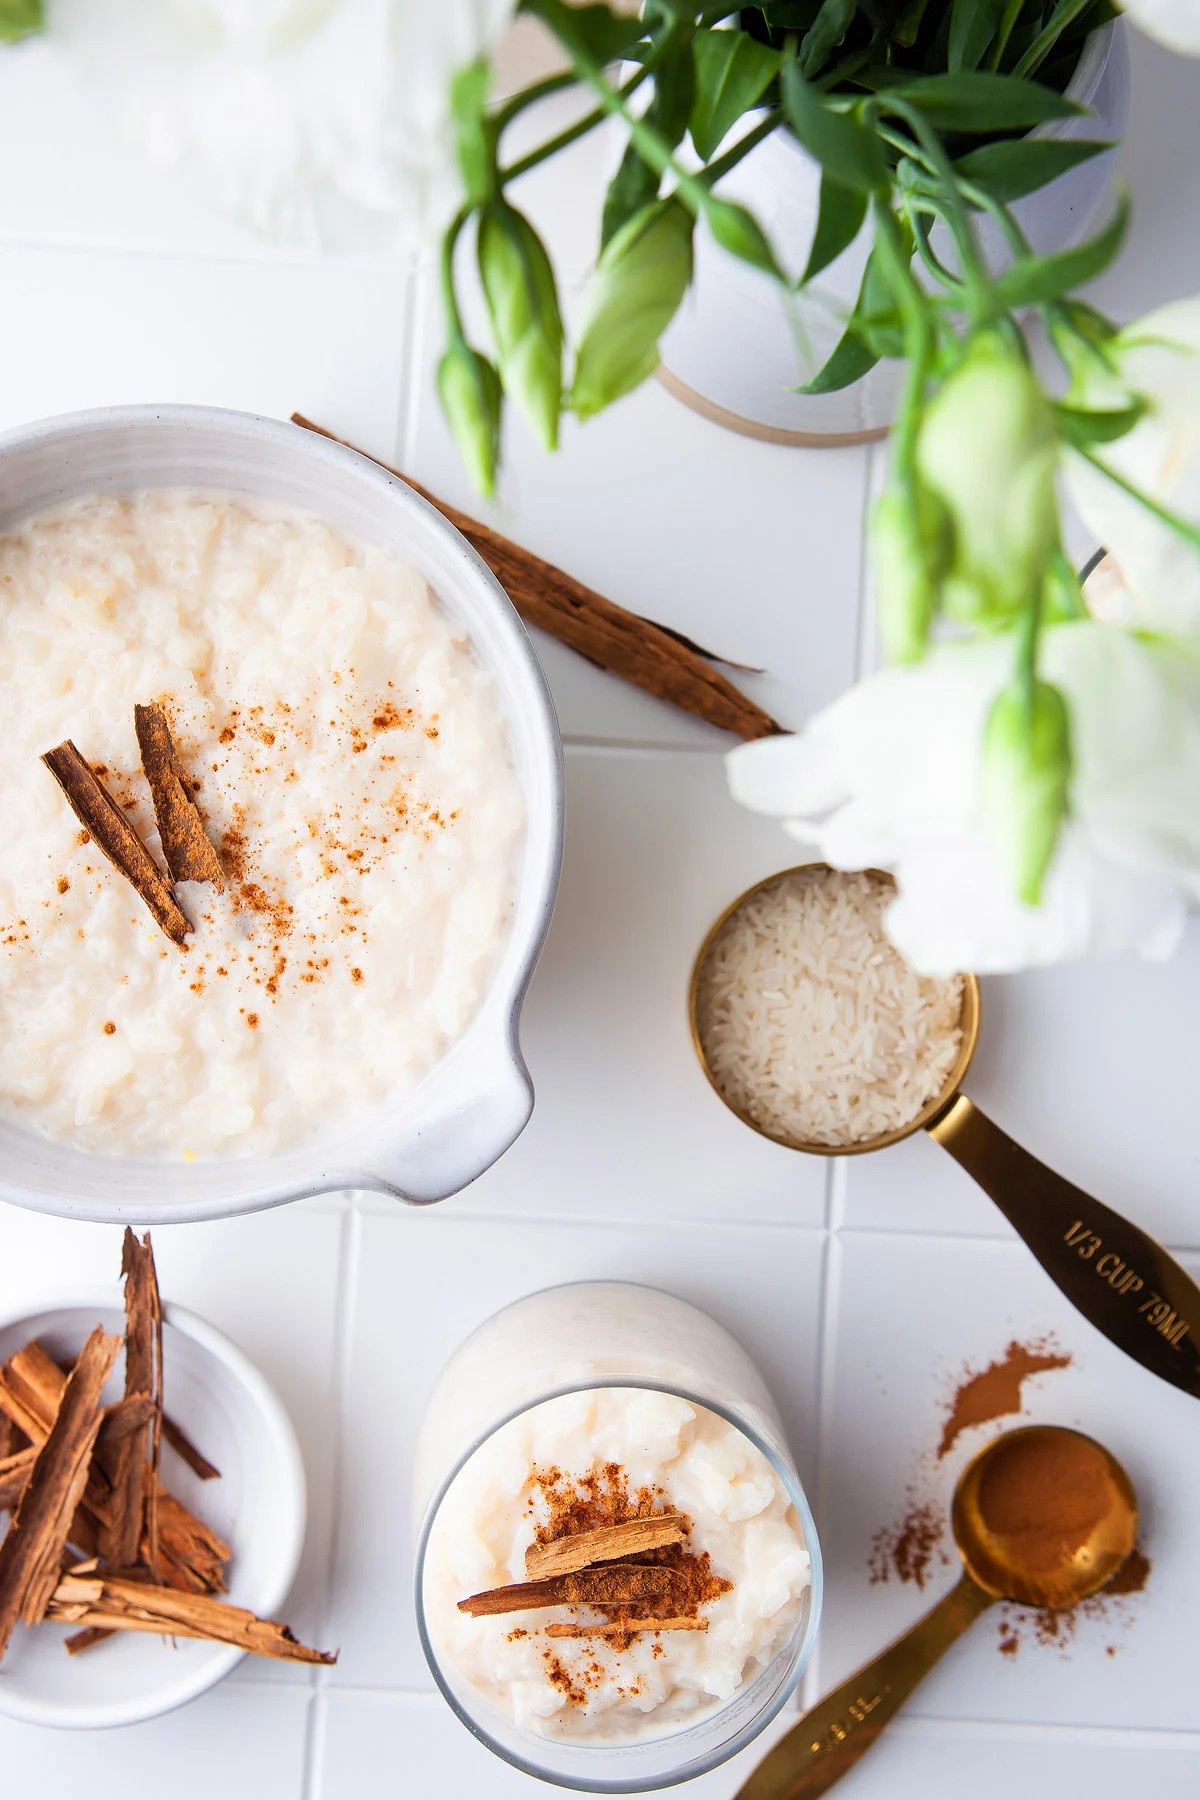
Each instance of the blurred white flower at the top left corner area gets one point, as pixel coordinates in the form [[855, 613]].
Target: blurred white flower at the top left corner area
[[323, 123]]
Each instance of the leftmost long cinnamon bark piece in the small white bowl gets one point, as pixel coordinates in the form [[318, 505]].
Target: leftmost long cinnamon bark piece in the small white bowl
[[33, 1549]]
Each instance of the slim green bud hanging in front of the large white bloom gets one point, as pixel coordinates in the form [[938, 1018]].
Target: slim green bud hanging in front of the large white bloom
[[1026, 780]]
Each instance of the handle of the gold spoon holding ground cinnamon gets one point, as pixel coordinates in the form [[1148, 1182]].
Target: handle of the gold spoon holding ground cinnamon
[[846, 1723]]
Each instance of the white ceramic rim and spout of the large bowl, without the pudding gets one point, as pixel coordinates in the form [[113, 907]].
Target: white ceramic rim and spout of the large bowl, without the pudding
[[431, 1140]]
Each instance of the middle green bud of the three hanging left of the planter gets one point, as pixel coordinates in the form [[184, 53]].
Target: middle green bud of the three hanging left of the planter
[[526, 325]]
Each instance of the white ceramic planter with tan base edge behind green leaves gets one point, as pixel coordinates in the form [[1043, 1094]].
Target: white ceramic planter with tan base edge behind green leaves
[[739, 345]]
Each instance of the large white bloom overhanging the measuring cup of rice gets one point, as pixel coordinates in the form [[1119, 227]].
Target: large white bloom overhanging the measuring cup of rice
[[890, 777]]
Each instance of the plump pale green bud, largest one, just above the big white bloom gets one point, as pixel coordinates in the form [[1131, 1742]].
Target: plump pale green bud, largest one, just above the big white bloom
[[987, 449]]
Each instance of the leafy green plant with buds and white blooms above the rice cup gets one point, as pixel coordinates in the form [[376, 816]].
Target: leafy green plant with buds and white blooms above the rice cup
[[1030, 771]]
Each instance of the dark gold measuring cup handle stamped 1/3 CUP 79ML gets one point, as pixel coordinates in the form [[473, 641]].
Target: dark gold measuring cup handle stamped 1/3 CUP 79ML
[[1113, 1272]]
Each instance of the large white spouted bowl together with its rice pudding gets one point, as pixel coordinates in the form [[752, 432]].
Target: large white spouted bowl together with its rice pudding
[[370, 757]]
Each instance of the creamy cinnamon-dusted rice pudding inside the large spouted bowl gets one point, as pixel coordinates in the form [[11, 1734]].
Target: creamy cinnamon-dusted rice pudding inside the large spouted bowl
[[354, 771]]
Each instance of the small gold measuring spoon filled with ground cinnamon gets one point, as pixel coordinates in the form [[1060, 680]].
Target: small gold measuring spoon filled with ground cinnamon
[[1001, 1561]]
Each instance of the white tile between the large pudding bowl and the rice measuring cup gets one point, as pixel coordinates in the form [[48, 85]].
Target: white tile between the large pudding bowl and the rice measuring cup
[[625, 1122]]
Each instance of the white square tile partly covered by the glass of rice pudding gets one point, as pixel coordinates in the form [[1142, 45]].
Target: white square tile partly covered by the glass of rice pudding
[[764, 1284]]
